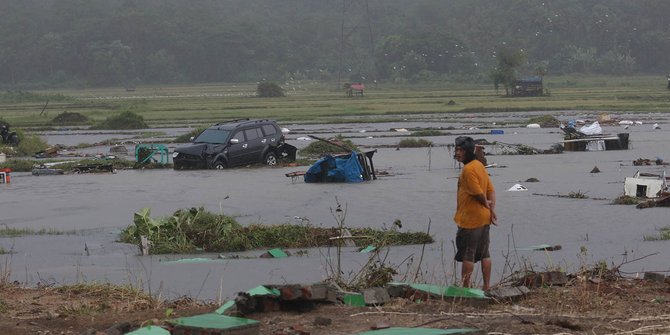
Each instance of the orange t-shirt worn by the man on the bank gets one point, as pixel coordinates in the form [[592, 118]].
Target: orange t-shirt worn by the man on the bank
[[474, 180]]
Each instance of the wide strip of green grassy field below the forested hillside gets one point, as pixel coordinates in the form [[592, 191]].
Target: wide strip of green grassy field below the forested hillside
[[317, 102]]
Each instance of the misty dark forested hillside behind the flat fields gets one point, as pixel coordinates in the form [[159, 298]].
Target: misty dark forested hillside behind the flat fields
[[46, 43]]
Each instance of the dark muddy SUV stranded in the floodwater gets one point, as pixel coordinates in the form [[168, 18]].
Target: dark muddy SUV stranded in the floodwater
[[235, 143]]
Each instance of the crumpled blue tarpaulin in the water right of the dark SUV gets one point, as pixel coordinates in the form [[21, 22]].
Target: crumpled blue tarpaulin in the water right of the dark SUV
[[335, 169]]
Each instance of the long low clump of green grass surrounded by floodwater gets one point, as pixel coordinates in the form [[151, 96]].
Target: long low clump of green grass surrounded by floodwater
[[196, 229]]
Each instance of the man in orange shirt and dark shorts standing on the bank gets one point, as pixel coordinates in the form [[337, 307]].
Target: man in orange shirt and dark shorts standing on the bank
[[474, 213]]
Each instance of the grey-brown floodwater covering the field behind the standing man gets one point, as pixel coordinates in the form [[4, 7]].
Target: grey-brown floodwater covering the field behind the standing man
[[419, 190]]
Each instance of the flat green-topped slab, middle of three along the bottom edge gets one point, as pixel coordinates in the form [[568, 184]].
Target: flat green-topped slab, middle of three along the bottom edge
[[212, 323]]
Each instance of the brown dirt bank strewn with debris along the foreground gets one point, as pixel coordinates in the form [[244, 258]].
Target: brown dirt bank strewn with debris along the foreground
[[615, 306]]
